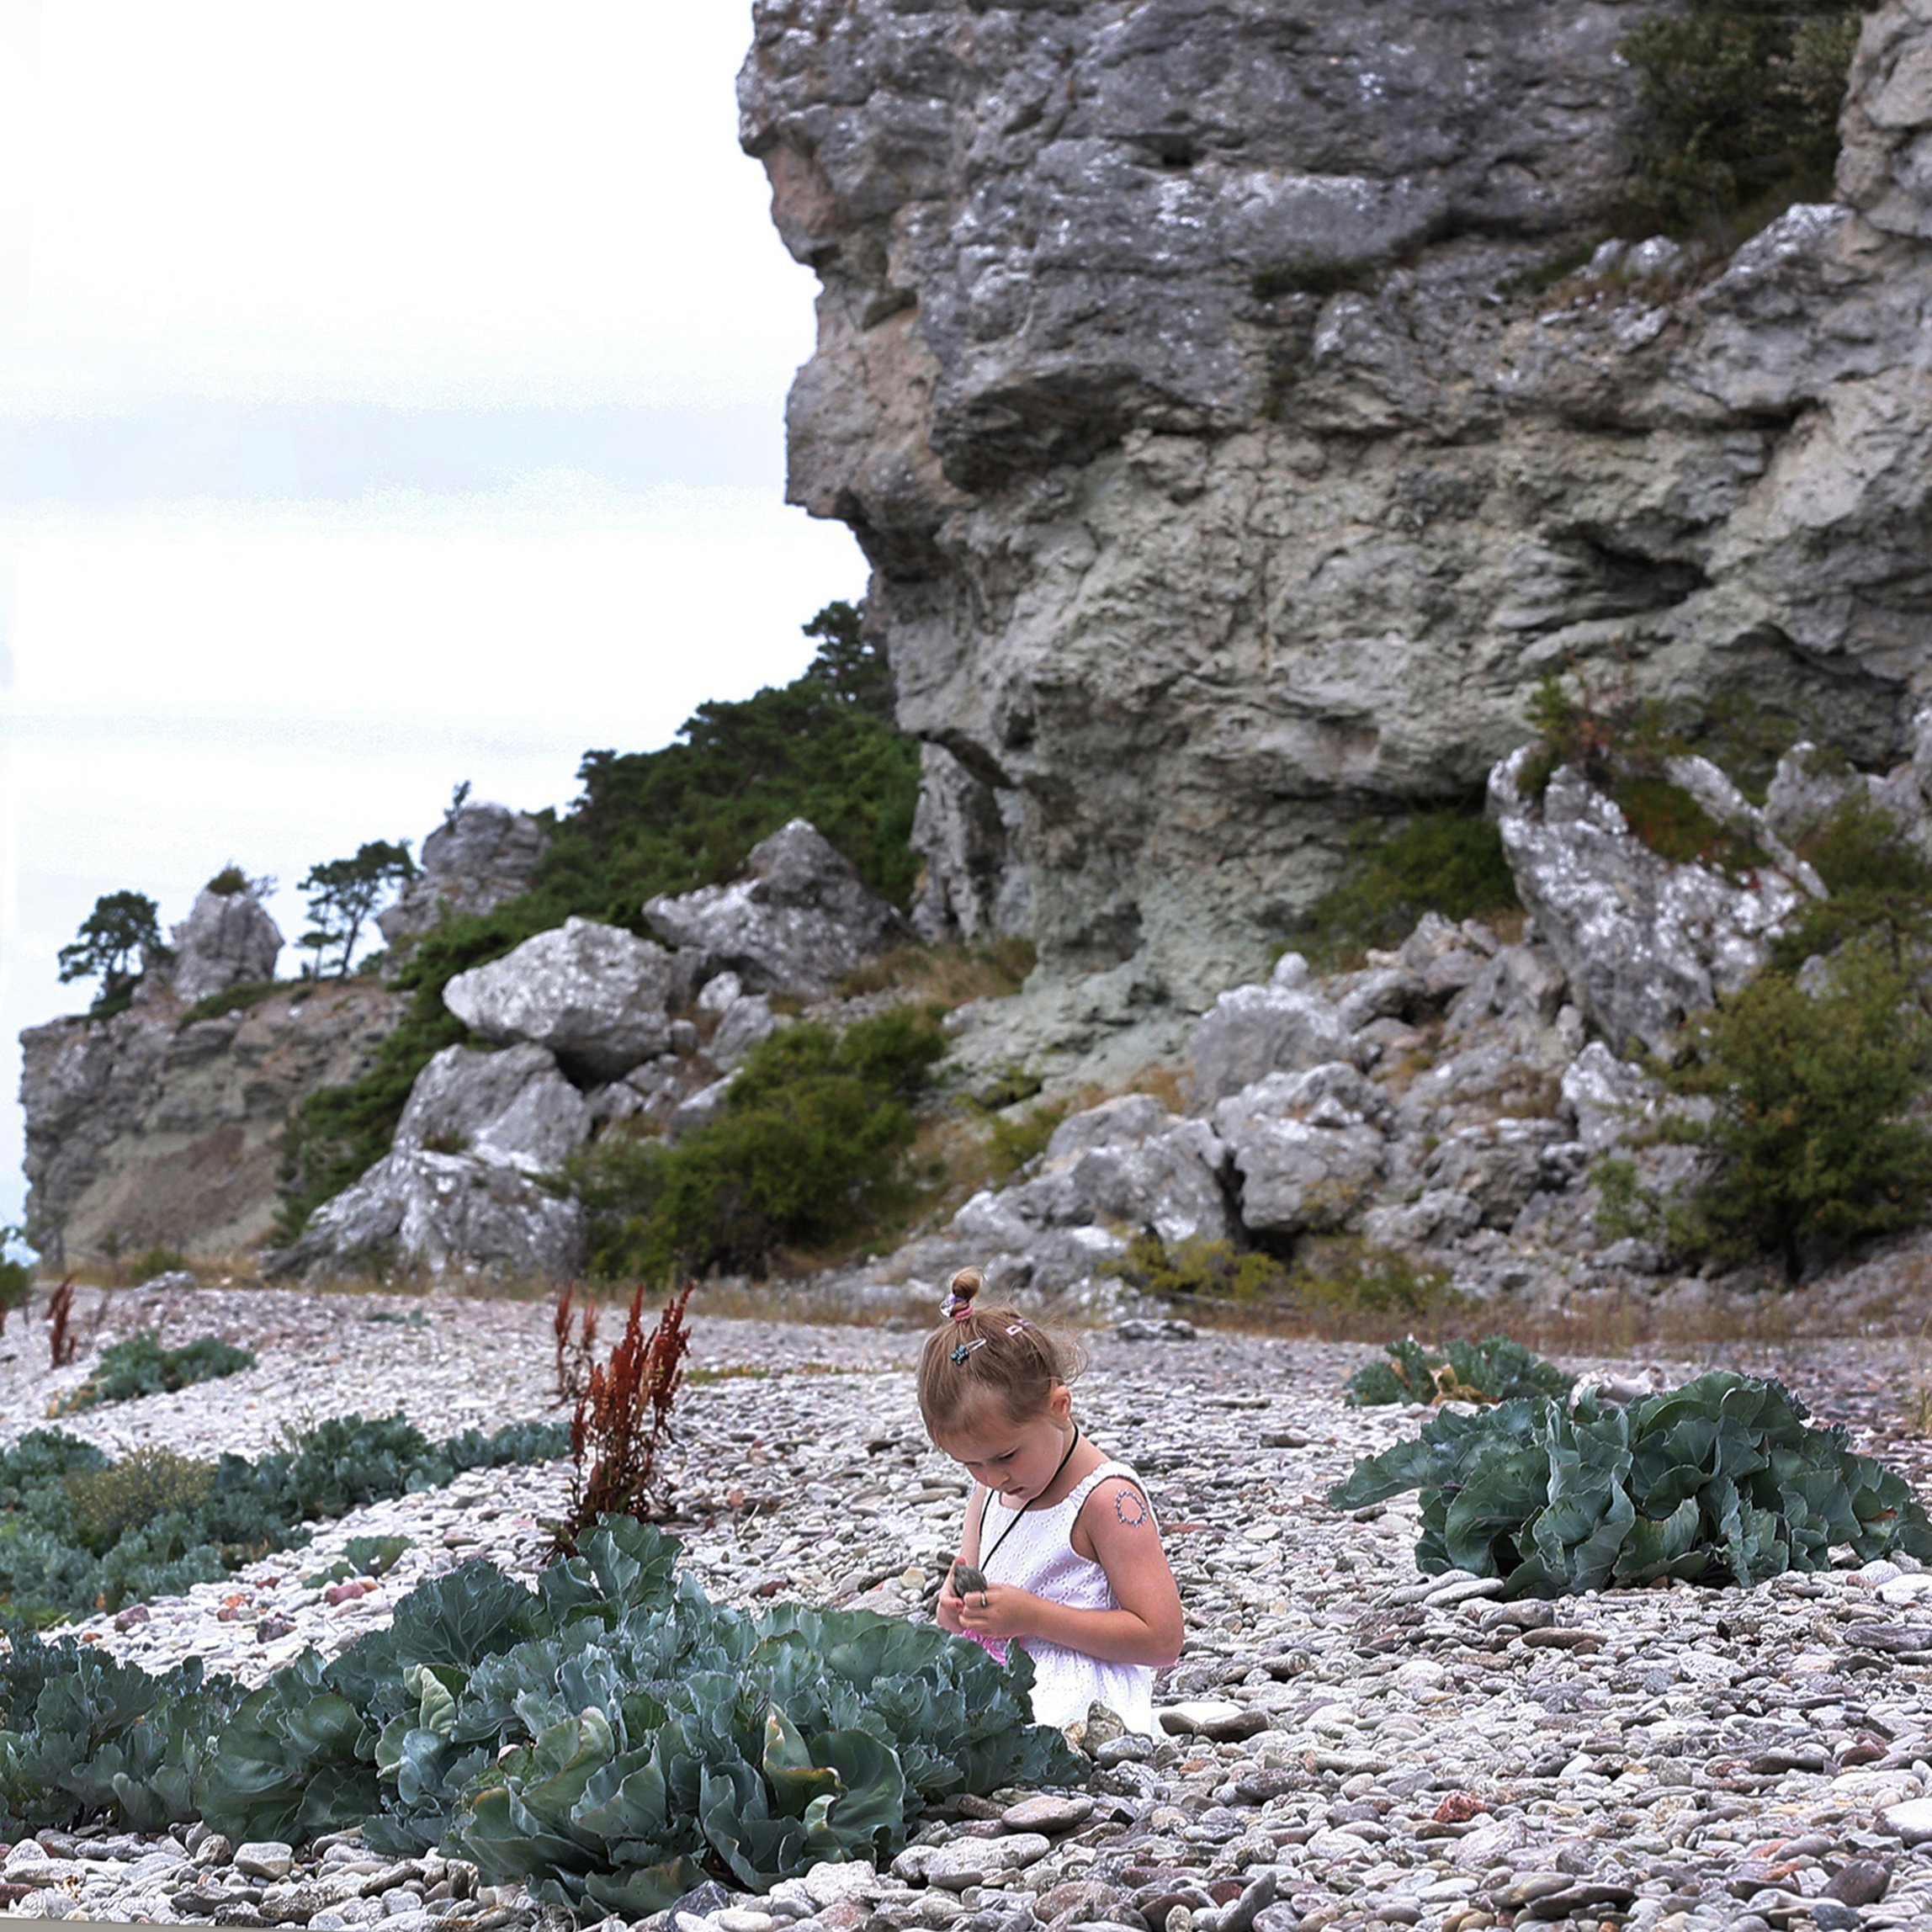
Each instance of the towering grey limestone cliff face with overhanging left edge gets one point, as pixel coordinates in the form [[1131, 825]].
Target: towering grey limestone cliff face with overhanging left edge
[[1222, 480]]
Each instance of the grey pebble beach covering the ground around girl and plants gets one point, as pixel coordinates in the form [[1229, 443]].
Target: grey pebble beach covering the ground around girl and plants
[[1355, 1746]]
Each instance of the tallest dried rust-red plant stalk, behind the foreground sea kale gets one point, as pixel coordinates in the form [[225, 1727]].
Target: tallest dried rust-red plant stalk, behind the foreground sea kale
[[623, 1419]]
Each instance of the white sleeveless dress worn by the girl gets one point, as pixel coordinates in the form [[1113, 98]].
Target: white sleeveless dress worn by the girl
[[1038, 1554]]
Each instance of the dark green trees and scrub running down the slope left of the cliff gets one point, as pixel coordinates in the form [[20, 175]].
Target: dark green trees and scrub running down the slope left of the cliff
[[648, 822]]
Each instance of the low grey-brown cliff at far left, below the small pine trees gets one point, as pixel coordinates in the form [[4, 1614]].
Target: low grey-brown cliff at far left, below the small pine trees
[[146, 1131]]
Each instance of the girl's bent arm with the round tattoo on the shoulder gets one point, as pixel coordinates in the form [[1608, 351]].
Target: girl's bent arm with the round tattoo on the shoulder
[[1145, 1630]]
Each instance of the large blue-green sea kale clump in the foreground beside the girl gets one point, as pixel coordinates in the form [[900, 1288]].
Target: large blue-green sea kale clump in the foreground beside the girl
[[613, 1738]]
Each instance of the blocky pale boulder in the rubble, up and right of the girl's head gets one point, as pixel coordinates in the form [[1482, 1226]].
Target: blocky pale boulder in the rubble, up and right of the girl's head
[[1309, 1149]]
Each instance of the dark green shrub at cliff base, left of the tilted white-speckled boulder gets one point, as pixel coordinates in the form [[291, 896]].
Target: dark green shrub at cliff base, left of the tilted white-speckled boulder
[[1448, 863]]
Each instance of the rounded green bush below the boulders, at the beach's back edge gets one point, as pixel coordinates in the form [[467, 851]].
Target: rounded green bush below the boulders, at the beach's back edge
[[807, 1151]]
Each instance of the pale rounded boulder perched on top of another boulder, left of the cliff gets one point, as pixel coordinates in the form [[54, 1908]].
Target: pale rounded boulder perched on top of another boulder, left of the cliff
[[592, 994]]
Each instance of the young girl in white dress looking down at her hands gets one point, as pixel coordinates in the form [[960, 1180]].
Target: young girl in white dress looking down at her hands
[[1073, 1560]]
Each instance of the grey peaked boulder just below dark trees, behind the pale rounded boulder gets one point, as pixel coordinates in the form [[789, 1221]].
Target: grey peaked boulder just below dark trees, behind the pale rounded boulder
[[799, 924]]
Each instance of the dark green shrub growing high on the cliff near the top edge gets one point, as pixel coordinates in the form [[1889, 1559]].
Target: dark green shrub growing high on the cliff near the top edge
[[1742, 113]]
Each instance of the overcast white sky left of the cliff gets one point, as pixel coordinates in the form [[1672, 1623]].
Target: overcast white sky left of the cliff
[[389, 397]]
